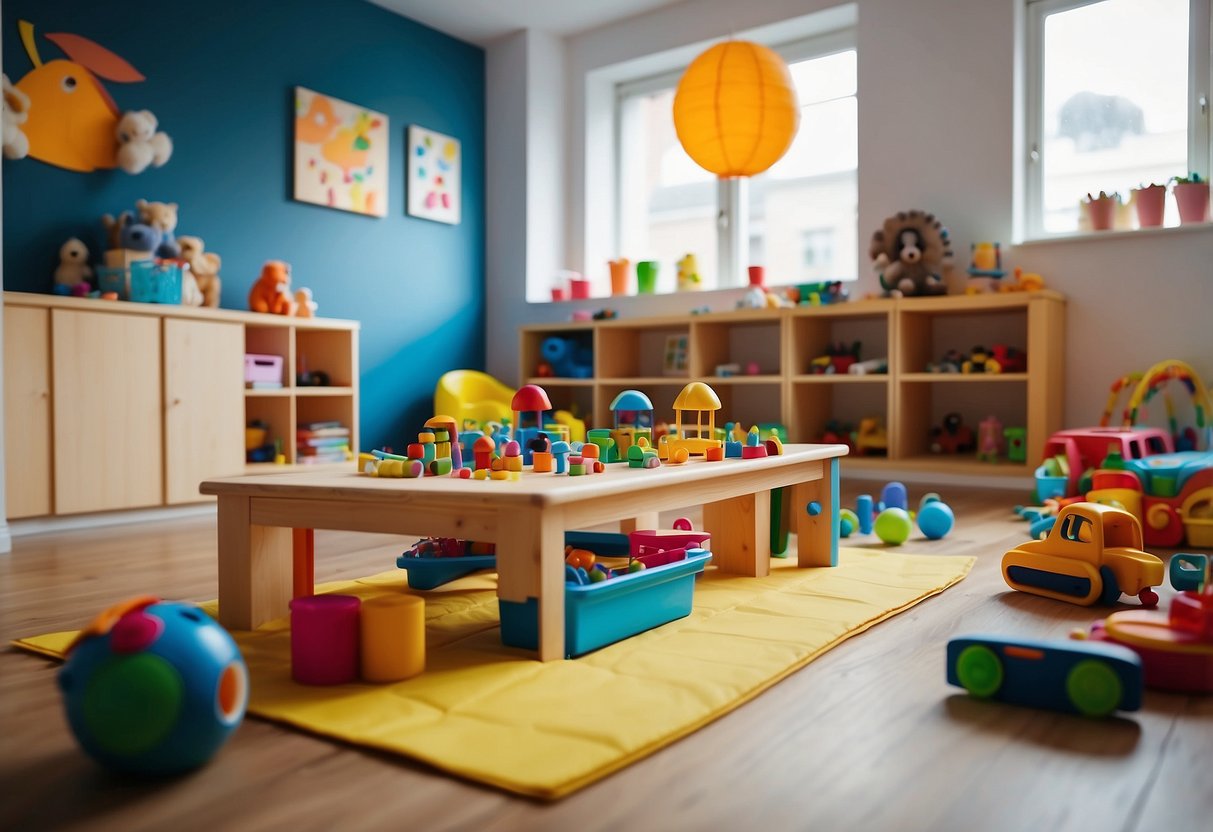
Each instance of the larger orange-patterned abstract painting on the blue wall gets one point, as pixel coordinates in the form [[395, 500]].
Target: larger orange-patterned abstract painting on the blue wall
[[340, 155]]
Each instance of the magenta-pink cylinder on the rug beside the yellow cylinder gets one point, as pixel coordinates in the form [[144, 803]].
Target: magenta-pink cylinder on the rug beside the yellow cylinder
[[324, 640]]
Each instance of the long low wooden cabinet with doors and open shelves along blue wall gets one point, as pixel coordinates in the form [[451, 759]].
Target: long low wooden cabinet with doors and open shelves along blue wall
[[132, 406]]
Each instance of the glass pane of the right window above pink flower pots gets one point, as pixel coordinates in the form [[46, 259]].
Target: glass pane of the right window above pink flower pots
[[1115, 112]]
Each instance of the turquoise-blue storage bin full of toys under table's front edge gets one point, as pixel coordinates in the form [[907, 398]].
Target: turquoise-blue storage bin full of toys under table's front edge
[[601, 614]]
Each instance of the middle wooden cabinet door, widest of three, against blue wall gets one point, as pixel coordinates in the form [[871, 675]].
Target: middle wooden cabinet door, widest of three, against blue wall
[[107, 431]]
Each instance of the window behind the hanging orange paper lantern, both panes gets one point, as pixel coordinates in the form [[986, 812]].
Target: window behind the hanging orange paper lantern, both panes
[[800, 219]]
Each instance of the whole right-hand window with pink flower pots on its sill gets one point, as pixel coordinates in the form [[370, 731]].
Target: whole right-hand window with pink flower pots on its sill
[[1118, 98]]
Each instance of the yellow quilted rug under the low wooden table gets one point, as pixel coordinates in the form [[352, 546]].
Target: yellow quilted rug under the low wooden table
[[491, 714]]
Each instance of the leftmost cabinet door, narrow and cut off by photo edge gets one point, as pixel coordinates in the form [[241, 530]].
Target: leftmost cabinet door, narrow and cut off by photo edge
[[27, 412]]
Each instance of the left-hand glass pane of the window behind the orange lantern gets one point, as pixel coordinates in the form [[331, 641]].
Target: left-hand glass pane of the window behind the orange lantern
[[668, 203]]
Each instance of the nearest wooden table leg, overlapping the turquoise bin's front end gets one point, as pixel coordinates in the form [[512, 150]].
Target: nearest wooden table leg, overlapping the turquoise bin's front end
[[531, 565]]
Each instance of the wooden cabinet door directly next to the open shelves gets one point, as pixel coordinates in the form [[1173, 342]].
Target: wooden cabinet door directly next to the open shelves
[[204, 406]]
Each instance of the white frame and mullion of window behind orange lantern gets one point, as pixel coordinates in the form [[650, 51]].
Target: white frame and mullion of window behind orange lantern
[[732, 195]]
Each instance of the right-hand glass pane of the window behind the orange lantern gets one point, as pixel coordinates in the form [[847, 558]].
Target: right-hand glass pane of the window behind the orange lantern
[[804, 212]]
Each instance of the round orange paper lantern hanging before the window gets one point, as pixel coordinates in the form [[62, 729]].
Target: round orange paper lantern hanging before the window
[[736, 110]]
